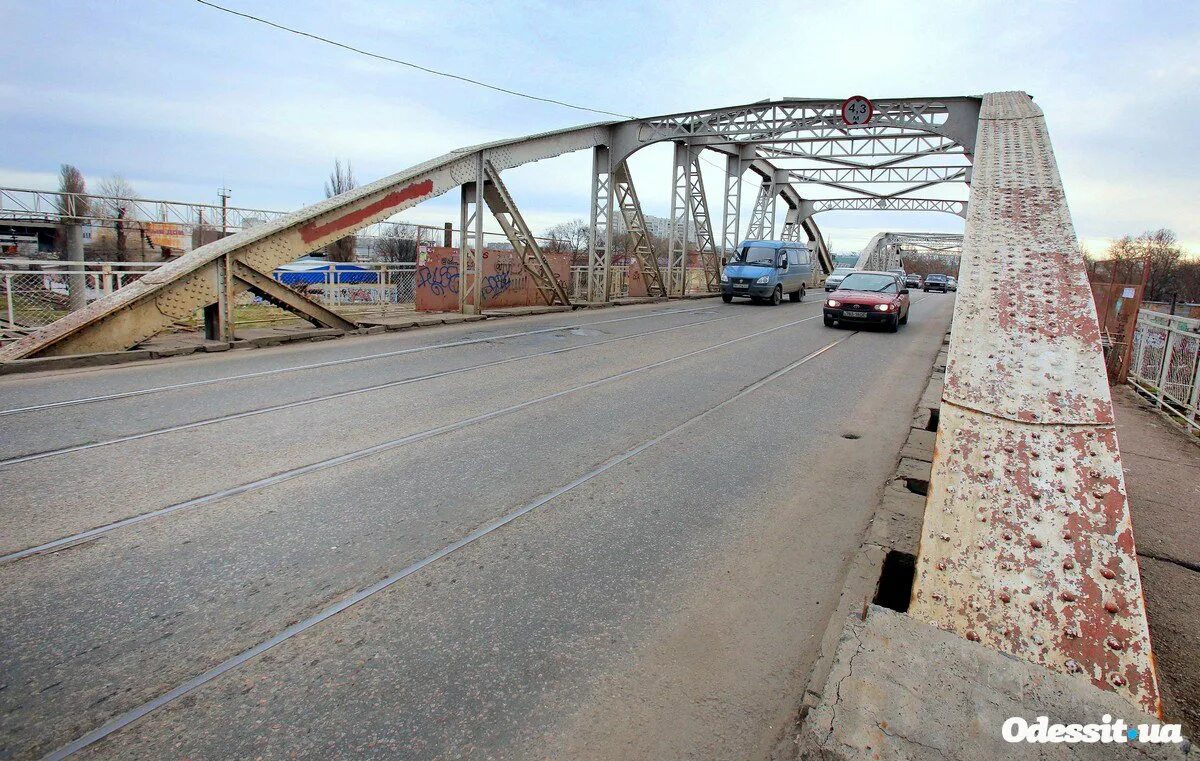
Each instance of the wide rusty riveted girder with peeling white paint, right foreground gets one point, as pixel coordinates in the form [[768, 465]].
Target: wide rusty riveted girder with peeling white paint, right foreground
[[1028, 546]]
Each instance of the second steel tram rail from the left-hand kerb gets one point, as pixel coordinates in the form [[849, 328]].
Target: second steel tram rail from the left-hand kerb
[[326, 398]]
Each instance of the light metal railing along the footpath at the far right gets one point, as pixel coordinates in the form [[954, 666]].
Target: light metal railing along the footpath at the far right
[[1165, 367]]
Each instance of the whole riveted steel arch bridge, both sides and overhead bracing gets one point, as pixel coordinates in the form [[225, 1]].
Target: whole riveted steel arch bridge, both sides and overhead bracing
[[1027, 543]]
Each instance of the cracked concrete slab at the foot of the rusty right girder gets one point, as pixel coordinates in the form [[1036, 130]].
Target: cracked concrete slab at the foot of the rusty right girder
[[903, 690]]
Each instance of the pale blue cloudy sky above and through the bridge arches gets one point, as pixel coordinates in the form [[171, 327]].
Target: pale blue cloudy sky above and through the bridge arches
[[182, 99]]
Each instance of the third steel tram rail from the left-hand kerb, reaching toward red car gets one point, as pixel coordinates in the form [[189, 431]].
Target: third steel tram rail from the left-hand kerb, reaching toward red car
[[286, 476]]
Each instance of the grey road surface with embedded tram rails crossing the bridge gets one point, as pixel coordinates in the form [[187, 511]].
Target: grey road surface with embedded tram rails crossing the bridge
[[611, 534]]
